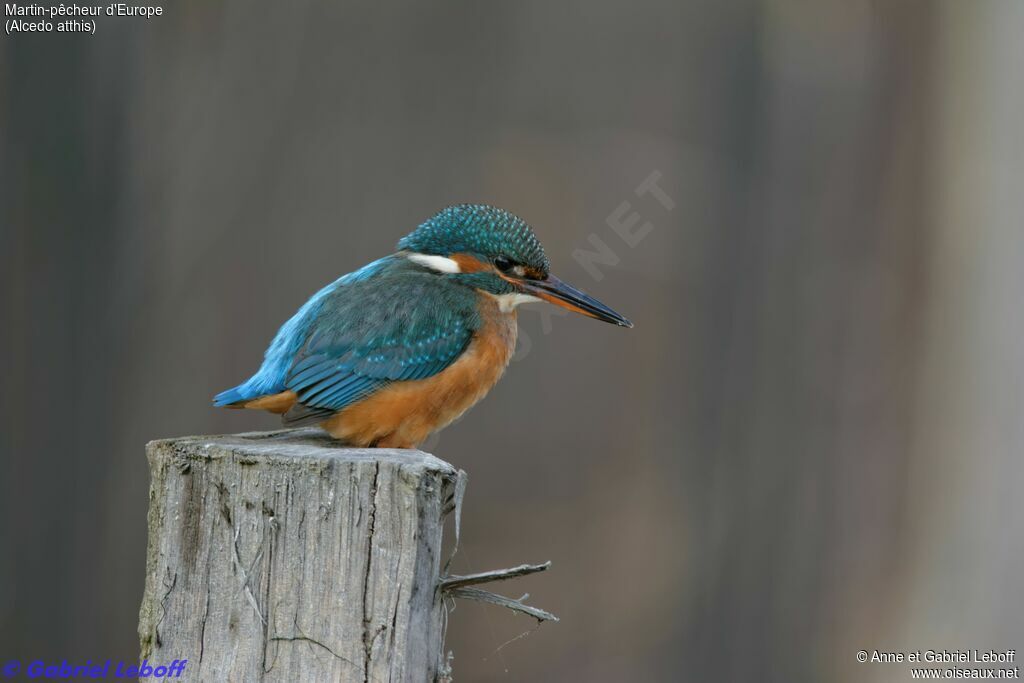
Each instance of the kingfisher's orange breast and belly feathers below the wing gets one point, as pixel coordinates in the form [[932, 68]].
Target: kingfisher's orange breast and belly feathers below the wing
[[404, 414]]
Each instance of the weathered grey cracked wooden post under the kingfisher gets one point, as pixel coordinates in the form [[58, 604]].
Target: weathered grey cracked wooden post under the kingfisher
[[281, 557]]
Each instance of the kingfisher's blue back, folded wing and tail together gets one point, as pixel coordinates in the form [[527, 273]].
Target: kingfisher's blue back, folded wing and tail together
[[392, 321]]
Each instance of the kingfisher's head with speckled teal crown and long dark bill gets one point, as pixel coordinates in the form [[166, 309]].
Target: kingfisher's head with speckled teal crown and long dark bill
[[497, 252]]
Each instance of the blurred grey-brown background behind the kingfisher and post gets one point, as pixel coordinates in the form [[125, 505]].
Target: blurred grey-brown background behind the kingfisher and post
[[812, 443]]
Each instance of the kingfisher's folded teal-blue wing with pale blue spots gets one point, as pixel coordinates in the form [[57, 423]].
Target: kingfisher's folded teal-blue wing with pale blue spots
[[369, 334]]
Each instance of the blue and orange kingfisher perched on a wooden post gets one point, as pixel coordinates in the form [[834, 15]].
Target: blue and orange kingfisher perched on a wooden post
[[390, 354]]
